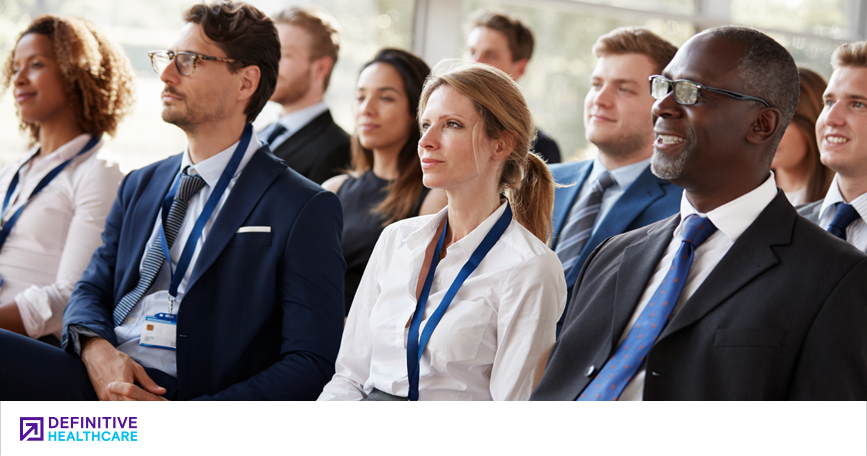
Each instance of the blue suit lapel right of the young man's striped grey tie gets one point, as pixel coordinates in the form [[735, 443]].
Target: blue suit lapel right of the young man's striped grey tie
[[642, 193]]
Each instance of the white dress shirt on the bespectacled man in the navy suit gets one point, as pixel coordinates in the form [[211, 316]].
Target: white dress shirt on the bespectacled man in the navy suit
[[156, 299]]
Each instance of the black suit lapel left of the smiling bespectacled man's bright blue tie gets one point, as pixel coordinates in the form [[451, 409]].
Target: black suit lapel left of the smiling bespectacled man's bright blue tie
[[636, 268]]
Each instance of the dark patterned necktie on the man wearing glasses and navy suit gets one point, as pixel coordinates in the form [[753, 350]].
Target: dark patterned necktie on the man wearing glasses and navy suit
[[188, 186]]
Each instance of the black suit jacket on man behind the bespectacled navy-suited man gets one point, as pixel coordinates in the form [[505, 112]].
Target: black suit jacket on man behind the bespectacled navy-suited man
[[318, 151]]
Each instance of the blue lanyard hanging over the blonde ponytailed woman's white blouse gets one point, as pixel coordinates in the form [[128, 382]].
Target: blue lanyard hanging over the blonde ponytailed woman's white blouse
[[414, 347]]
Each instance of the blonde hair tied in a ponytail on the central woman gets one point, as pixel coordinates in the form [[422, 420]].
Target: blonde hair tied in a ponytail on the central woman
[[525, 179]]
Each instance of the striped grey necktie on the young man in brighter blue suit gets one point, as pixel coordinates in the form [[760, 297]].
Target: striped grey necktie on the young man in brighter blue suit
[[581, 220]]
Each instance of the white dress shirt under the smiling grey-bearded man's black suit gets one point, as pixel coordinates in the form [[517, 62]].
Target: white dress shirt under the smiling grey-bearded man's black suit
[[731, 220]]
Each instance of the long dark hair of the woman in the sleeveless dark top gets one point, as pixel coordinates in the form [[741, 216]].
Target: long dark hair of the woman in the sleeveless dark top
[[404, 192]]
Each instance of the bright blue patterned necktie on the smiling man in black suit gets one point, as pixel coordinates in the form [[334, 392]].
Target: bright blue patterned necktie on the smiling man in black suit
[[624, 363]]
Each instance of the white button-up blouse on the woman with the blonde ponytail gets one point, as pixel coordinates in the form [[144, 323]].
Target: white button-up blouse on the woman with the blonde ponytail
[[487, 345]]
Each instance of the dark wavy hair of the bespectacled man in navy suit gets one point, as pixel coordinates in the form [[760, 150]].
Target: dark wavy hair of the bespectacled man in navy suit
[[245, 34]]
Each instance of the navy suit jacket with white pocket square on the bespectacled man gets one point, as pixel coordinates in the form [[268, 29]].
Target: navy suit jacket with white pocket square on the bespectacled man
[[262, 315]]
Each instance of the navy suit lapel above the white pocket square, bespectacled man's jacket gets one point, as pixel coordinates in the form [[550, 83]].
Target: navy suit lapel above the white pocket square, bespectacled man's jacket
[[253, 182]]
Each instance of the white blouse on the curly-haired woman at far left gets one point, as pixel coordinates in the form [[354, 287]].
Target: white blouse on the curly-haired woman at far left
[[56, 234]]
